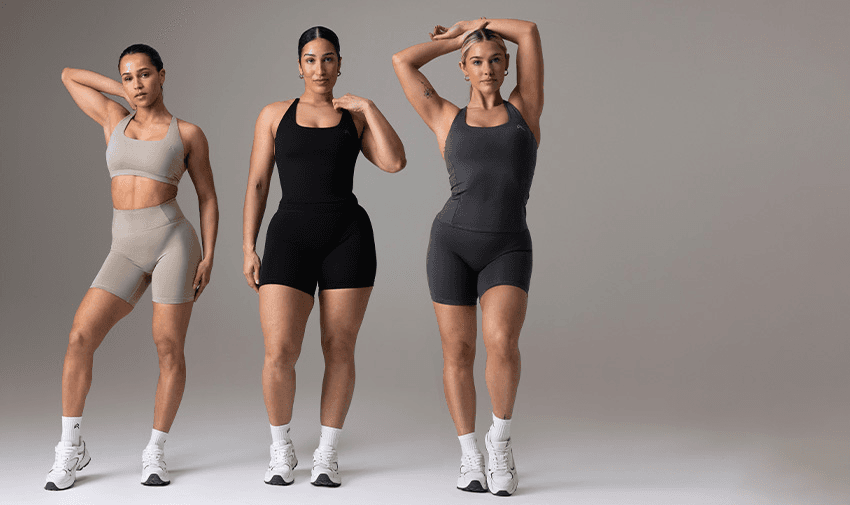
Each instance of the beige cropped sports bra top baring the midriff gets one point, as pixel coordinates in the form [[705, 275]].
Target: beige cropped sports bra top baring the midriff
[[160, 160]]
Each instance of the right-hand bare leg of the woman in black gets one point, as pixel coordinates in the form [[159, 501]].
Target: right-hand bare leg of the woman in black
[[342, 312]]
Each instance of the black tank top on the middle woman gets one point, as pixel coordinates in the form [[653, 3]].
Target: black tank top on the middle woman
[[316, 165]]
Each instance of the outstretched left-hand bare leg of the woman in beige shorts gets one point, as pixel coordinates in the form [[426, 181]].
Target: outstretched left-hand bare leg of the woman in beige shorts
[[96, 315]]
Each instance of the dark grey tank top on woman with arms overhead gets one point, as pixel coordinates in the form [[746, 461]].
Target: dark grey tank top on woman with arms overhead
[[490, 170]]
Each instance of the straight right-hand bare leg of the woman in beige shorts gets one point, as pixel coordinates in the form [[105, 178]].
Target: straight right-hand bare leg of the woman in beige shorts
[[170, 322]]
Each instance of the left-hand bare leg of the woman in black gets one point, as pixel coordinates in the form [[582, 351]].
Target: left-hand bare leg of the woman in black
[[283, 315]]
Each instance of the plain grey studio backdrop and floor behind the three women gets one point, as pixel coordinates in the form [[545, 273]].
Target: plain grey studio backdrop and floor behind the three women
[[686, 336]]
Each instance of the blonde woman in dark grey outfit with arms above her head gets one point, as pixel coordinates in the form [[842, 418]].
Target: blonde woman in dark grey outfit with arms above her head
[[480, 245]]
